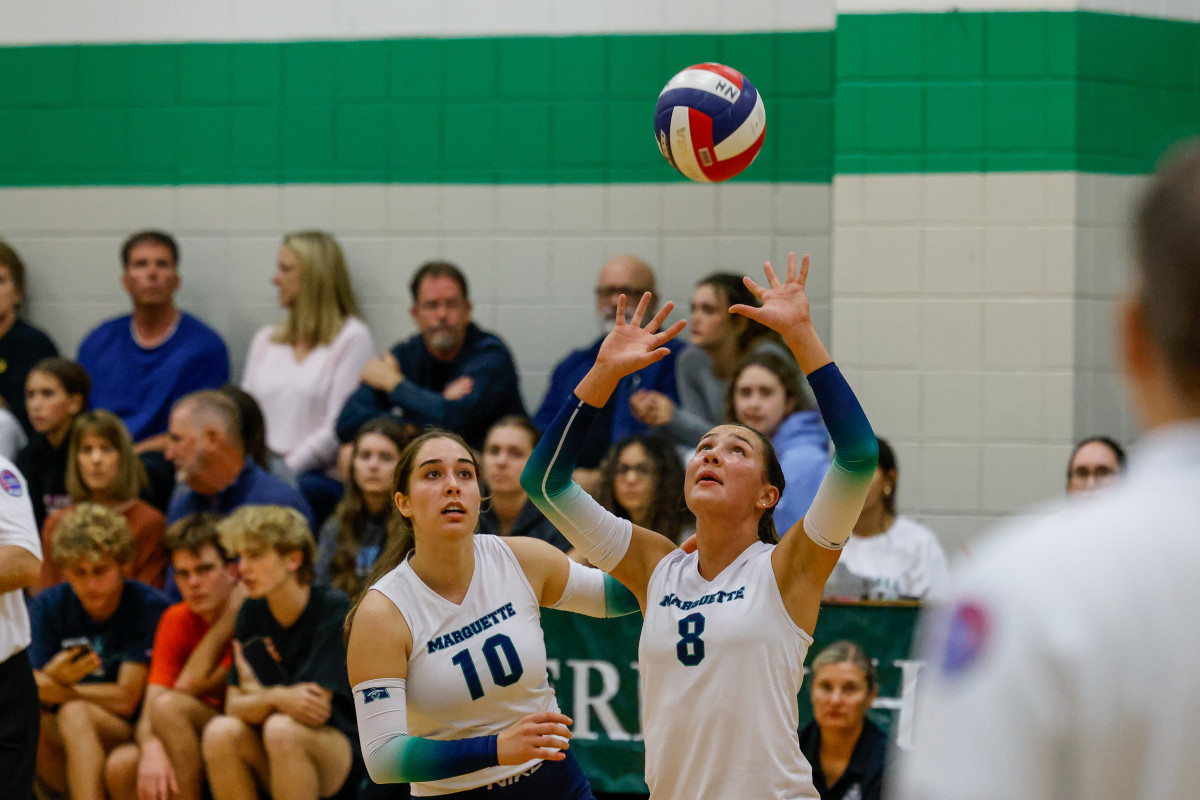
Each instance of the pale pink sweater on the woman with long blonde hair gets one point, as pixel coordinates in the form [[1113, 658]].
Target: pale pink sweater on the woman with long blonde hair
[[302, 400]]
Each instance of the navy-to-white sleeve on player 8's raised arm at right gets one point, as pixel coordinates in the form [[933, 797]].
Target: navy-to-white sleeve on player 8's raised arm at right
[[839, 502]]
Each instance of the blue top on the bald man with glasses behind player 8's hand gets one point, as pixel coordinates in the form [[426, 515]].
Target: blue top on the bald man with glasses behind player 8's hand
[[571, 371]]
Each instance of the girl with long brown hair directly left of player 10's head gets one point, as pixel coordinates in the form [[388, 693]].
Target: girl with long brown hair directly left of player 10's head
[[353, 538]]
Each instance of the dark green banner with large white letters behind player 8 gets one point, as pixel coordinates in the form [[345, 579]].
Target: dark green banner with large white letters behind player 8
[[593, 665]]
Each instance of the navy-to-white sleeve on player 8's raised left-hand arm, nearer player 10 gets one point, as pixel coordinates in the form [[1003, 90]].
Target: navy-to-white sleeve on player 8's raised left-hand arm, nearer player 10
[[601, 536]]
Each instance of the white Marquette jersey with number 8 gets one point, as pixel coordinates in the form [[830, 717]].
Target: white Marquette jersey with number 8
[[722, 664]]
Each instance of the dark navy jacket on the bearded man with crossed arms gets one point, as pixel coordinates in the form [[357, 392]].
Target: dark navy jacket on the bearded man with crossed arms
[[484, 358]]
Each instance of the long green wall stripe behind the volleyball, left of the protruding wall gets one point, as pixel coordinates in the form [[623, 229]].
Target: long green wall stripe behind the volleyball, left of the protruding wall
[[513, 110]]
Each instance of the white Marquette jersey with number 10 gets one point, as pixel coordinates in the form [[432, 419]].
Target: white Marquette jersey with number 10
[[477, 667]]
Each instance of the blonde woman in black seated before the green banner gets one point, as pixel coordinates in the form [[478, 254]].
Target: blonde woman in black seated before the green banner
[[847, 750]]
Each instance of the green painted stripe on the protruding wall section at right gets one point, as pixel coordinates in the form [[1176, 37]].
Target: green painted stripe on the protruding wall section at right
[[1000, 92]]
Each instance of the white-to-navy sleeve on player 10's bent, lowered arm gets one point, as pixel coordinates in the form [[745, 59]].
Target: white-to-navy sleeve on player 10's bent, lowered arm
[[392, 756]]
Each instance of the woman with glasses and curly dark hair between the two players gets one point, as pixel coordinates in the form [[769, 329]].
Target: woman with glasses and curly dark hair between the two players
[[641, 480]]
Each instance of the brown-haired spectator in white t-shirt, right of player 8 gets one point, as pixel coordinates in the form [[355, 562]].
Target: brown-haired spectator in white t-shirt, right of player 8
[[898, 556]]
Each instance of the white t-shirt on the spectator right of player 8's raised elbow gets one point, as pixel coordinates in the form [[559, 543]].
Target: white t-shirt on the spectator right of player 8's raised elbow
[[907, 561]]
